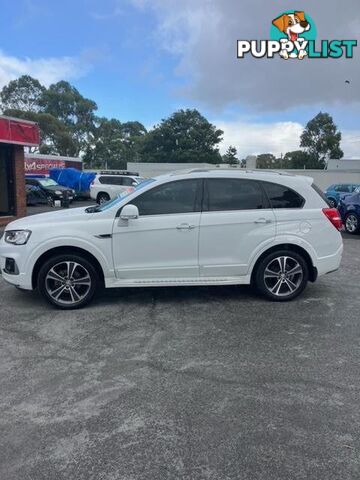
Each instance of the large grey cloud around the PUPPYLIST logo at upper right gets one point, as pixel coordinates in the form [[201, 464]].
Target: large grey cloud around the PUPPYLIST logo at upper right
[[203, 36]]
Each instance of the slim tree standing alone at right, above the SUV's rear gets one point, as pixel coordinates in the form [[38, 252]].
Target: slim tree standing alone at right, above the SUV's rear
[[321, 139]]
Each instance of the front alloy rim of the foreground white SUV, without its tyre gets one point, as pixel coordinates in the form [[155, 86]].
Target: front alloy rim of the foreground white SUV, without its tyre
[[68, 283]]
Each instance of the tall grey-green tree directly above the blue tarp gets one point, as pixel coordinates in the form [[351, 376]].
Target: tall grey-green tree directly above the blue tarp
[[77, 113]]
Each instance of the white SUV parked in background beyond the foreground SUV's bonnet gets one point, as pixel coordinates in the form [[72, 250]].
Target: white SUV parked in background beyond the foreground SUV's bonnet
[[108, 184]]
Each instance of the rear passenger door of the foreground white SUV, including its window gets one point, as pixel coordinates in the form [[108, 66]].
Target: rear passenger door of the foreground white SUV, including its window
[[235, 224]]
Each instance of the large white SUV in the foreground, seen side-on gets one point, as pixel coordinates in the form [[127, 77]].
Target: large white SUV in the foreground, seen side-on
[[194, 228]]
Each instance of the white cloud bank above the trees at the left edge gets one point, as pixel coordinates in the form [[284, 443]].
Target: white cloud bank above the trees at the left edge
[[46, 70]]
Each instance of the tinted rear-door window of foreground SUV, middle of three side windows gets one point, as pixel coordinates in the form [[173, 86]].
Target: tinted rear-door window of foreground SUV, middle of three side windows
[[224, 194]]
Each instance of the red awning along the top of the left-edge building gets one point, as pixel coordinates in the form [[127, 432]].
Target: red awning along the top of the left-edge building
[[19, 132]]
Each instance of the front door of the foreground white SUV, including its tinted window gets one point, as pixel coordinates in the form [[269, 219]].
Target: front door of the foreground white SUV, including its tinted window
[[163, 242]]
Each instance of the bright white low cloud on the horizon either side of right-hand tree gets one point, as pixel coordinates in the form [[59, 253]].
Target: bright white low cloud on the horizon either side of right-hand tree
[[276, 138]]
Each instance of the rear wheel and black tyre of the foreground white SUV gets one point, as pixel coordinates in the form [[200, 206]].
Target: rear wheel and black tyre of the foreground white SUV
[[281, 276]]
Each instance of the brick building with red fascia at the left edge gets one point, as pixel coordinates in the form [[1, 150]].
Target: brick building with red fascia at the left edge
[[15, 134]]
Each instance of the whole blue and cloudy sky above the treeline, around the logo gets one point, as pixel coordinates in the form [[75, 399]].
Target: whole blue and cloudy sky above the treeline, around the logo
[[144, 59]]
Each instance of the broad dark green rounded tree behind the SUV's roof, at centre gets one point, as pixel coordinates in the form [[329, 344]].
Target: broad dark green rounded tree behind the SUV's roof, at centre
[[186, 136]]
